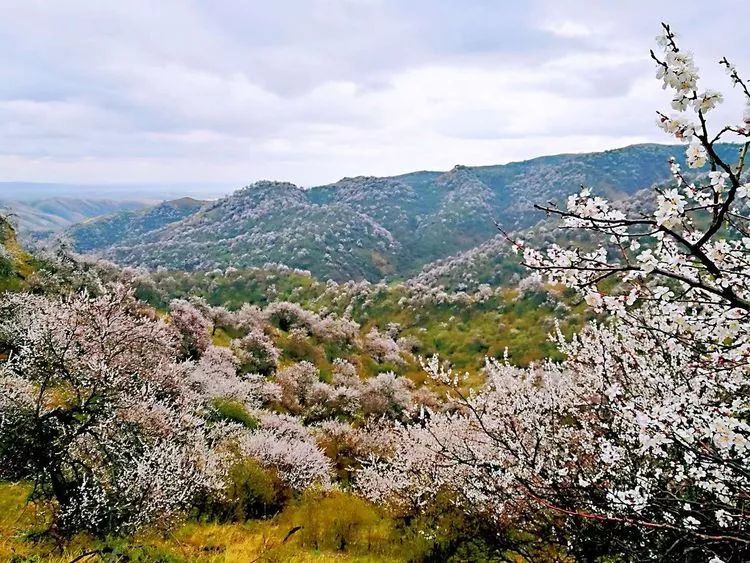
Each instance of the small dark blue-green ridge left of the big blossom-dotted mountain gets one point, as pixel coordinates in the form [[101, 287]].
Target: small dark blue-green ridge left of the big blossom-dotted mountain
[[119, 228]]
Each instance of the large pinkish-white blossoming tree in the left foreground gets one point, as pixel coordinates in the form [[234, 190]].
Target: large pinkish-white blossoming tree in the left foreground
[[93, 410]]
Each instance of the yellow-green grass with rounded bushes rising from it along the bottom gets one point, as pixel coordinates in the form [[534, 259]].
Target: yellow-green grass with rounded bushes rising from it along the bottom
[[315, 526]]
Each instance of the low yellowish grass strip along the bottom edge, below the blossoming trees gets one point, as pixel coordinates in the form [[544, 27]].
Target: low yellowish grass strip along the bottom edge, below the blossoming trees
[[316, 527]]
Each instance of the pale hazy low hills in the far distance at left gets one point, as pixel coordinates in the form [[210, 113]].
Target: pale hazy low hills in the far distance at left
[[55, 214]]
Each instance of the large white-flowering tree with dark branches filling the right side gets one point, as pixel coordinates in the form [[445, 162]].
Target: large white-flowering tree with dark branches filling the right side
[[642, 432]]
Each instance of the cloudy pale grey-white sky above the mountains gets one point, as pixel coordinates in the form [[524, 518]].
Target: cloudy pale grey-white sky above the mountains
[[228, 92]]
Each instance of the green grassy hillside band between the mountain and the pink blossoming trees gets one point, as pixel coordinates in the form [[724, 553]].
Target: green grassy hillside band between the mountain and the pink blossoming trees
[[463, 333]]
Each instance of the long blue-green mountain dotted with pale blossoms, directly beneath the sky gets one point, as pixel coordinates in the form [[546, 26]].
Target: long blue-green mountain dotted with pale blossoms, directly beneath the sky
[[371, 228]]
